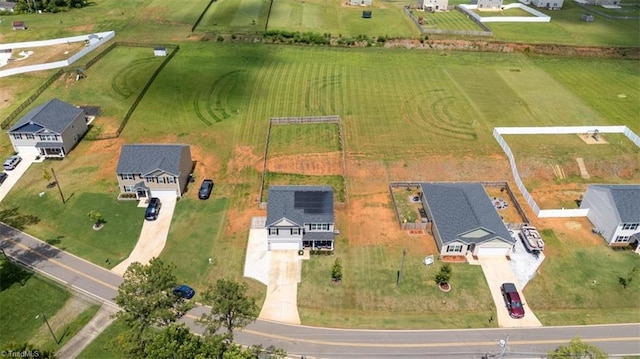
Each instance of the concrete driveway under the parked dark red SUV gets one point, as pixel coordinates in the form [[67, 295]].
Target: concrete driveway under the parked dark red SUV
[[497, 270]]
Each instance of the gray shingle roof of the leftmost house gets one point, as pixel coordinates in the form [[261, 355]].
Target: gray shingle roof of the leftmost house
[[54, 115]]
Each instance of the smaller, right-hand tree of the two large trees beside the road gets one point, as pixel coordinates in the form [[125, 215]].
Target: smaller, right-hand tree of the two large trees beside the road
[[231, 307]]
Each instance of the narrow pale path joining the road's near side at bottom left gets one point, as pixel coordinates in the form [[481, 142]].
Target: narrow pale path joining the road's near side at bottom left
[[88, 333]]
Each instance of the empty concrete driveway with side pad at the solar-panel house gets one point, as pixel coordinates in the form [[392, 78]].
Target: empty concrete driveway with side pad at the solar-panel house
[[280, 270]]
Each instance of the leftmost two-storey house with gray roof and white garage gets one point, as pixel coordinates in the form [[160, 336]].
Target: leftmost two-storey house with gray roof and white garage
[[50, 130]]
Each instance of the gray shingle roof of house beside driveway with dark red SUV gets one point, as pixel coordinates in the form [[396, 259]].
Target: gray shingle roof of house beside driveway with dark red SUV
[[460, 208]]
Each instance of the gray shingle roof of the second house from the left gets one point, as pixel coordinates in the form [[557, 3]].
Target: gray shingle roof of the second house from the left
[[147, 158]]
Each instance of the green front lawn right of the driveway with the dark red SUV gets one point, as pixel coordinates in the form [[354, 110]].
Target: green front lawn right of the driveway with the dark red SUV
[[567, 291]]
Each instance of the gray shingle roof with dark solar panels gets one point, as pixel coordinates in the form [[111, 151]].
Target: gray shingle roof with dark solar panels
[[300, 204]]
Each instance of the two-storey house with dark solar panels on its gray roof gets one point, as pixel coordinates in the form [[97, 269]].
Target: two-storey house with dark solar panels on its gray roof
[[300, 217]]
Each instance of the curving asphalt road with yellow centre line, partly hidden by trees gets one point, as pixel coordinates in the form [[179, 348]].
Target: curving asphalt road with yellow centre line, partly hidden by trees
[[616, 339]]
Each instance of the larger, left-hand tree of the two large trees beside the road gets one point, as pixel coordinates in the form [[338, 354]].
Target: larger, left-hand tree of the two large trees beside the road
[[146, 297]]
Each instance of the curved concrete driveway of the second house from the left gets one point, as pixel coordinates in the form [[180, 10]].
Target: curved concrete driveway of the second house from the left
[[153, 236]]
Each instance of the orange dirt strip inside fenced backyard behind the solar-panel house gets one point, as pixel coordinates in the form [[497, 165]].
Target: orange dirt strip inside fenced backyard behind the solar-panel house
[[307, 164]]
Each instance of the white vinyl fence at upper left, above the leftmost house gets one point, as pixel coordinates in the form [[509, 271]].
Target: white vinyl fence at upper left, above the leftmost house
[[102, 36]]
